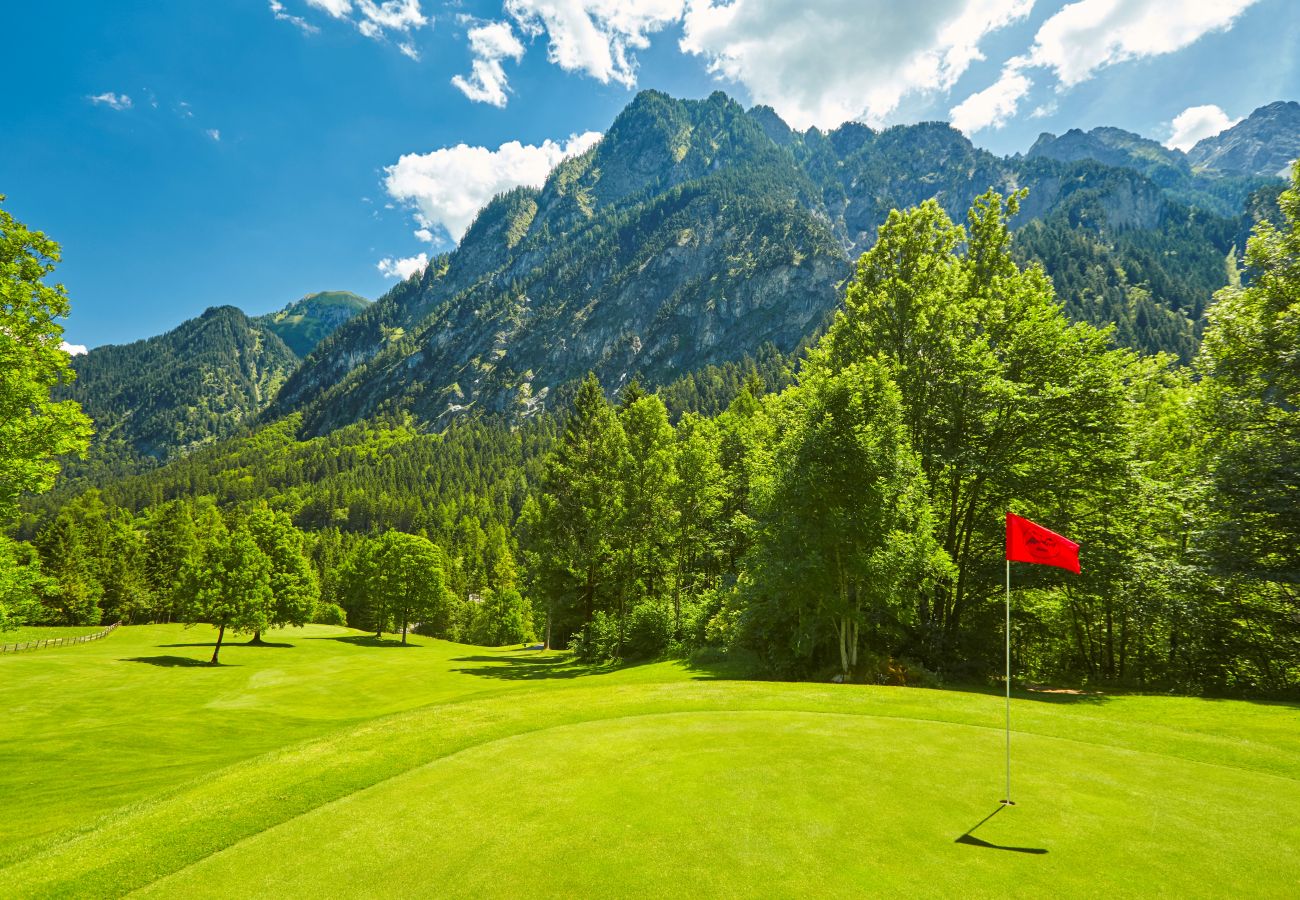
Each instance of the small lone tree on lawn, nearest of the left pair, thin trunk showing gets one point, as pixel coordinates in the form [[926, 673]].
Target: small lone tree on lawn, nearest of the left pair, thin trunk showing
[[231, 587]]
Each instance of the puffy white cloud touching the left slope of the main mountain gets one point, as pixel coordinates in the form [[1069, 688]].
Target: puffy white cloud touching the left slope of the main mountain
[[449, 187]]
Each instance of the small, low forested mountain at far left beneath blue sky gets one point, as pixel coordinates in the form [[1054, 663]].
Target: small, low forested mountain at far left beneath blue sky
[[164, 396]]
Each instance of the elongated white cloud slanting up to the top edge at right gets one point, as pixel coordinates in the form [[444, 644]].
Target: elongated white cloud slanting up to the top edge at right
[[1089, 36]]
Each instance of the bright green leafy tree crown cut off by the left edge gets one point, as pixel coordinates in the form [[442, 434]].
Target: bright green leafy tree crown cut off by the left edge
[[34, 431]]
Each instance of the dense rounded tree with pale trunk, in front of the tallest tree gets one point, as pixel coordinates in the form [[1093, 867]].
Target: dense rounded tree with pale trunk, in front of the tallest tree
[[843, 535]]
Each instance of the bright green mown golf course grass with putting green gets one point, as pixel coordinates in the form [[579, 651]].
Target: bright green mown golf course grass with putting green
[[345, 767]]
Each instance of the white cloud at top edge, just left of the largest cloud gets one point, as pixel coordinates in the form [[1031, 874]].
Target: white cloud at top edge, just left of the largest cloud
[[596, 37]]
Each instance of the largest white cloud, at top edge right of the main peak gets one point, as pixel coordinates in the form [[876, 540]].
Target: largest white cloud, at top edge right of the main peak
[[824, 64]]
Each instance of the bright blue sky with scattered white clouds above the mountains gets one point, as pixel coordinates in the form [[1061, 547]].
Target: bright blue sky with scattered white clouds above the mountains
[[253, 152]]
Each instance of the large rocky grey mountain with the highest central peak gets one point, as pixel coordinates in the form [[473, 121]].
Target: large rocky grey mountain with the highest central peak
[[697, 231]]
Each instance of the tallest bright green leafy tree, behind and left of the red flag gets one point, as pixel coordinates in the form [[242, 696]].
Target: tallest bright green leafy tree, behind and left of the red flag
[[1003, 399]]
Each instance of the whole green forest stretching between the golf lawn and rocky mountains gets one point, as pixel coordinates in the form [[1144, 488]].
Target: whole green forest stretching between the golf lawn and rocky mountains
[[835, 513]]
